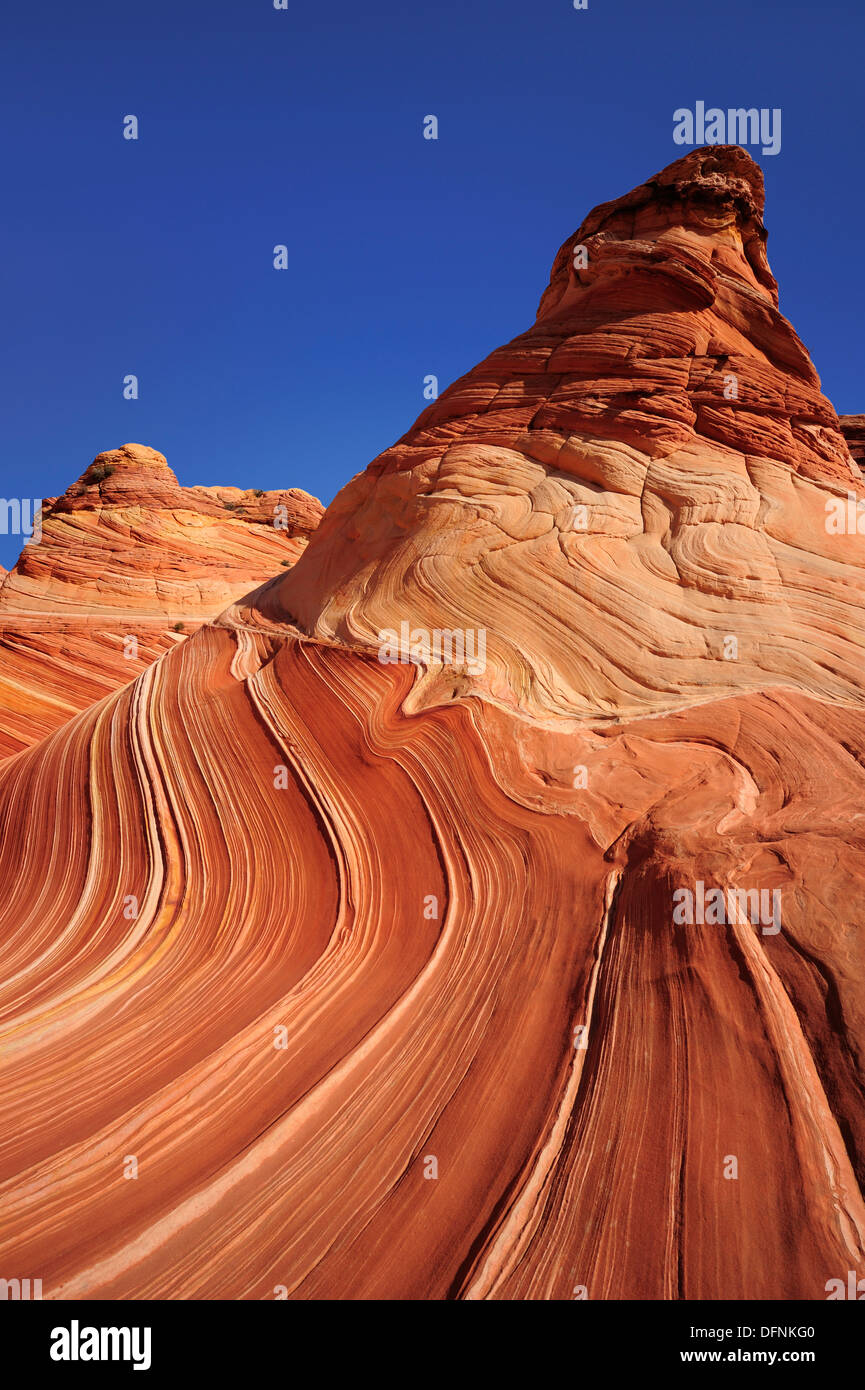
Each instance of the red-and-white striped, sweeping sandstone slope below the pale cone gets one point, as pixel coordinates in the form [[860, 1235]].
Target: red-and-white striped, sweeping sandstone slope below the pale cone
[[314, 999]]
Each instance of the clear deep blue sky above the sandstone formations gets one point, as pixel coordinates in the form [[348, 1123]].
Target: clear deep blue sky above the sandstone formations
[[407, 256]]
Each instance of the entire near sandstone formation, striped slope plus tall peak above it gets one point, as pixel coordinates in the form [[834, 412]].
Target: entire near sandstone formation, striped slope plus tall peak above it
[[531, 976]]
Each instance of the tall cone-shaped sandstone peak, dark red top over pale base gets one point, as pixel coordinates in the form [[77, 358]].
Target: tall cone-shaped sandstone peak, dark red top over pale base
[[656, 448]]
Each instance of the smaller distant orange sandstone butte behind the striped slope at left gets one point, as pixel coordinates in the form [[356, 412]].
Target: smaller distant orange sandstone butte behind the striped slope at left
[[127, 553]]
